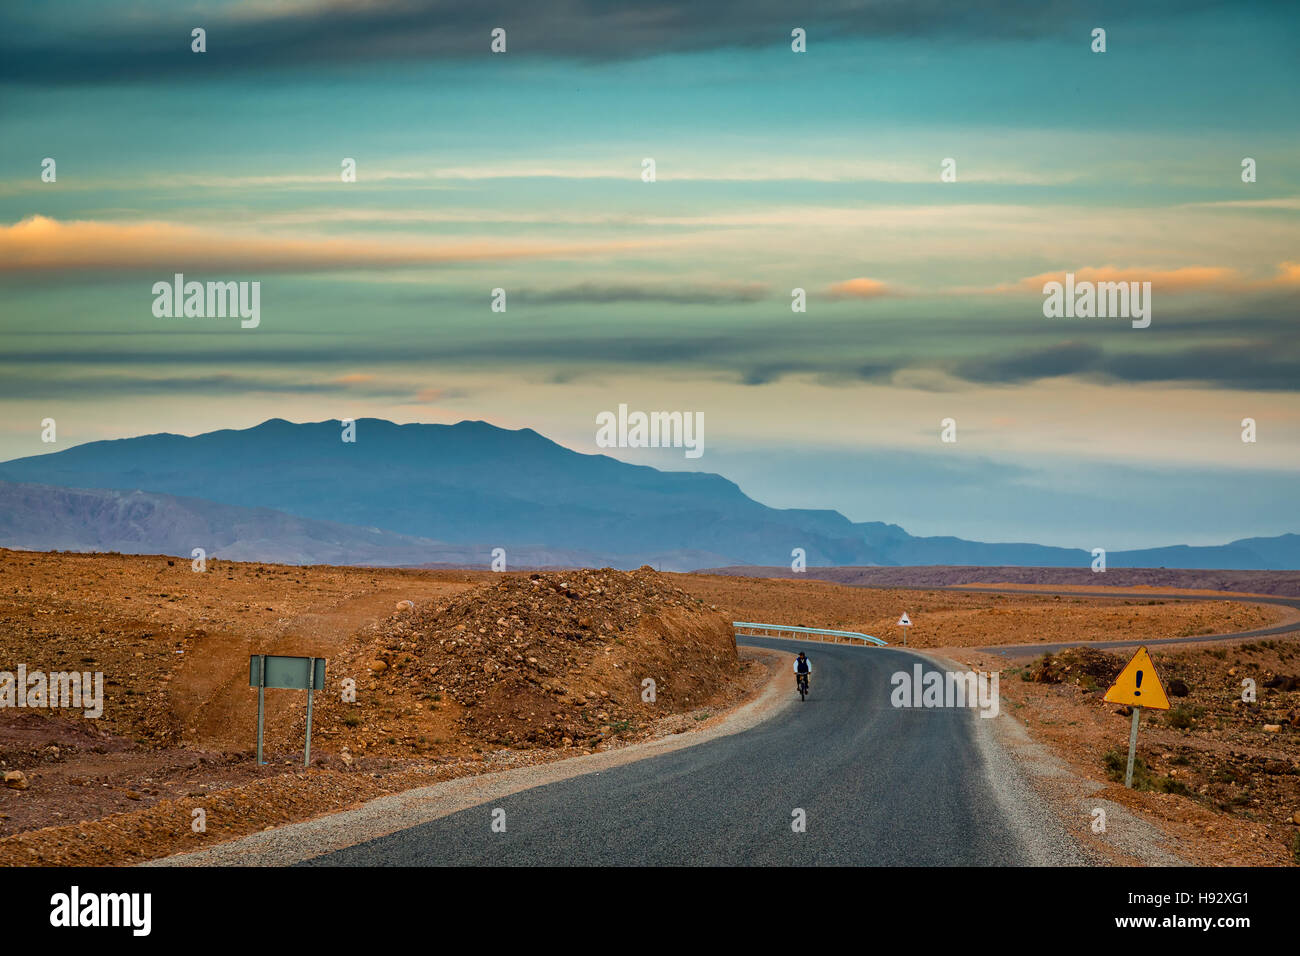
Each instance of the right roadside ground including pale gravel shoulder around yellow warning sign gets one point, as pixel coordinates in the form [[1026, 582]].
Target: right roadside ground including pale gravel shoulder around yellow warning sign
[[1216, 782]]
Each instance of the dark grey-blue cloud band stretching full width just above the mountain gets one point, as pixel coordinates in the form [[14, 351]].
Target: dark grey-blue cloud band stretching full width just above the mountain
[[769, 352]]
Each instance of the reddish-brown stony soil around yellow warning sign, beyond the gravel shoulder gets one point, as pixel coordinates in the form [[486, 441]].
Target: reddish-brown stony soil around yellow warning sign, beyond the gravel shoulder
[[1219, 775]]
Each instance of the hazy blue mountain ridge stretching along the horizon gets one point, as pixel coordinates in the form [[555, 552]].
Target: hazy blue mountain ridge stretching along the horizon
[[474, 485]]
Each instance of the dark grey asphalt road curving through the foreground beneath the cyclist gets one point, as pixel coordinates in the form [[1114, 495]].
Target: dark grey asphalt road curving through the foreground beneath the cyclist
[[877, 785]]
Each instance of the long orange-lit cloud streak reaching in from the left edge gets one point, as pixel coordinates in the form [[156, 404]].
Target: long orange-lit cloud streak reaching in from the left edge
[[40, 244]]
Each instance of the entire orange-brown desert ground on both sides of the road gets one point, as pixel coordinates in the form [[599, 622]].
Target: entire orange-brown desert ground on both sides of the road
[[465, 672]]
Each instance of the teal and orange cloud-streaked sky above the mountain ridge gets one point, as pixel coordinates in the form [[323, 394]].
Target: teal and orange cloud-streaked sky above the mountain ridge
[[775, 171]]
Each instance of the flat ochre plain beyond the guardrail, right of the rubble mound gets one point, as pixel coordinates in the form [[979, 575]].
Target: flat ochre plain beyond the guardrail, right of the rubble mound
[[955, 620]]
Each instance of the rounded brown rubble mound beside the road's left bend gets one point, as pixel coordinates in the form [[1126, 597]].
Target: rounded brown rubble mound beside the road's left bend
[[547, 660]]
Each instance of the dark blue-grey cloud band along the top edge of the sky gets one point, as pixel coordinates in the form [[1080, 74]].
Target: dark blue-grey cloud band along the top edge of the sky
[[261, 37]]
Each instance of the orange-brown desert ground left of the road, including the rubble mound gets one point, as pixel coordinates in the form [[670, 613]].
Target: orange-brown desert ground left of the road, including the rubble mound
[[453, 673]]
